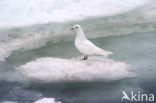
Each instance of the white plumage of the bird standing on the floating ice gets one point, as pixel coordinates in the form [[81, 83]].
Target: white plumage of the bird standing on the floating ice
[[85, 46]]
